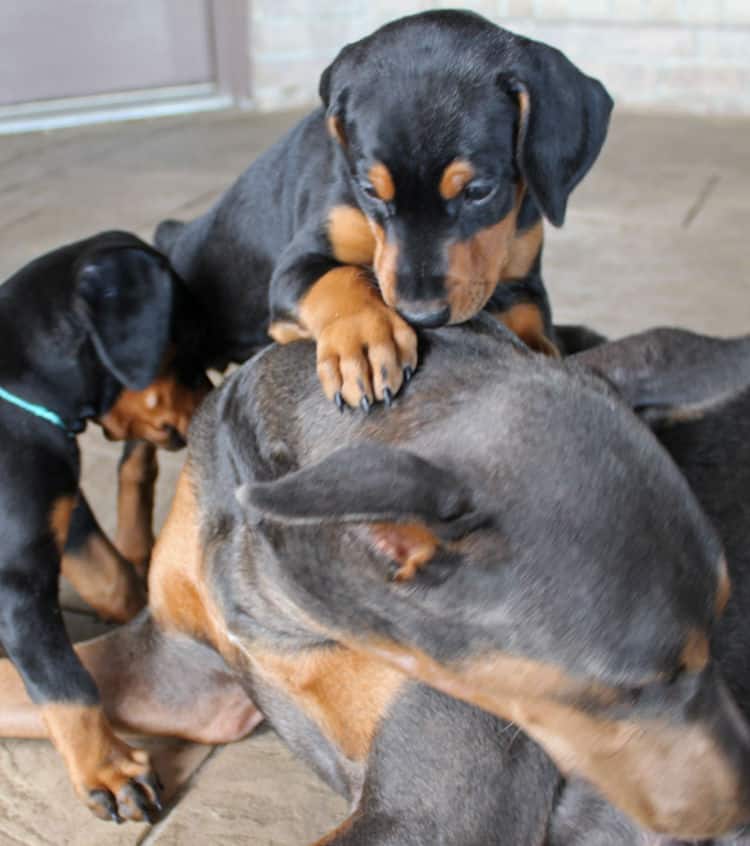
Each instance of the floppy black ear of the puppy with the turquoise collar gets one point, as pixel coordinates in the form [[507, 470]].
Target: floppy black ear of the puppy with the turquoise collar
[[125, 298]]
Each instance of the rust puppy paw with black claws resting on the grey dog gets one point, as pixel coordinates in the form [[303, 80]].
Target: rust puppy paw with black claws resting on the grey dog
[[366, 356]]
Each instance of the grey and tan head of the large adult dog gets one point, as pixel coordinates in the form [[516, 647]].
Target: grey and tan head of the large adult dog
[[569, 579]]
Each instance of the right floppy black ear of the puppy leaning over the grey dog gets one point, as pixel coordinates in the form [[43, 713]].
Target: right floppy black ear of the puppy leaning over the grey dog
[[563, 121]]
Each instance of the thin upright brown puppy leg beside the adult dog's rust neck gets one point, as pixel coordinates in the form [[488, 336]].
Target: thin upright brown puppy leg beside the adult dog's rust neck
[[136, 481]]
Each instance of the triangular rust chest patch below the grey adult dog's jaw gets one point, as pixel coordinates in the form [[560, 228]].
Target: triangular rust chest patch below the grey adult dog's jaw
[[345, 693]]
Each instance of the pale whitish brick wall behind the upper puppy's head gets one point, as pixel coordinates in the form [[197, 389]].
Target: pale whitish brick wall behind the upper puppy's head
[[675, 55]]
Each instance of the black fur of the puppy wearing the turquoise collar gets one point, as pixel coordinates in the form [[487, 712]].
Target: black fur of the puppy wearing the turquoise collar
[[78, 325]]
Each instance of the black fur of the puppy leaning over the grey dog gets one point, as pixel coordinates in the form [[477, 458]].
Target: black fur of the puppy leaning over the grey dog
[[415, 94]]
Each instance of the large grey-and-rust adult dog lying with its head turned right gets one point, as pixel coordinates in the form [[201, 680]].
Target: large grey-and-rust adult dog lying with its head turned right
[[552, 567]]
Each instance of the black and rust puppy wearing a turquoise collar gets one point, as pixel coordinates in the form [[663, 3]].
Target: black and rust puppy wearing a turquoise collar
[[91, 331]]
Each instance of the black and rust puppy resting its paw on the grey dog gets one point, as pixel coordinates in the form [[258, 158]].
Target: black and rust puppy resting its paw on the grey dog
[[414, 196]]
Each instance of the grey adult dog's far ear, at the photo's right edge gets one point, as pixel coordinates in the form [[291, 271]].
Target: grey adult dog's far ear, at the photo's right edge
[[672, 375]]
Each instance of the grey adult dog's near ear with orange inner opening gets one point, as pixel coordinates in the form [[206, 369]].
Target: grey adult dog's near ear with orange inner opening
[[411, 506]]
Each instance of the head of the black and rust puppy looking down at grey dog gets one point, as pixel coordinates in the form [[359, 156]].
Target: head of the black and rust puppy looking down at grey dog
[[448, 125]]
